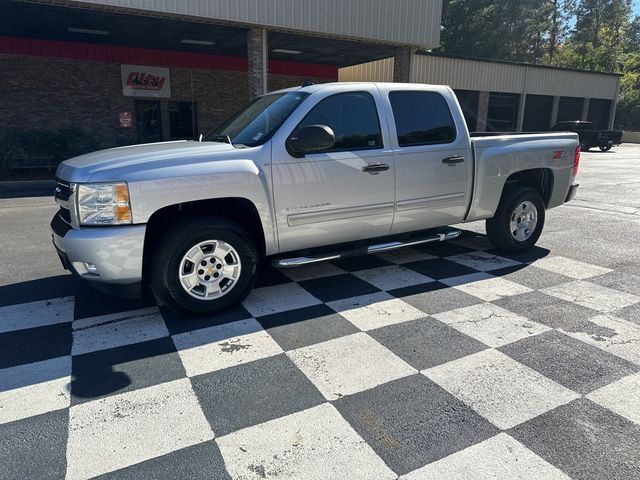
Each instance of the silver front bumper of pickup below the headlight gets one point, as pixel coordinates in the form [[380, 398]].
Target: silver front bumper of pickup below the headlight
[[116, 252]]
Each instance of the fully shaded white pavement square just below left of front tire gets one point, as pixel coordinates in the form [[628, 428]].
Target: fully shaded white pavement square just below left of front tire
[[115, 330]]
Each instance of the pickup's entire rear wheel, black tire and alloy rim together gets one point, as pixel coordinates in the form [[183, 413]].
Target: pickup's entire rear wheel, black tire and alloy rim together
[[519, 220]]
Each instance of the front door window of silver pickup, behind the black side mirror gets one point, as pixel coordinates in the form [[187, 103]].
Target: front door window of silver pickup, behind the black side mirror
[[352, 116]]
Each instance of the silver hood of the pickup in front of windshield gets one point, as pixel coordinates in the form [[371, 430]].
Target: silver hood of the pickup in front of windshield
[[122, 162]]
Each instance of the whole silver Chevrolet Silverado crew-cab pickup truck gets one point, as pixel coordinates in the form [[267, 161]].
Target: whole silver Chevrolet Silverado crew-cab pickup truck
[[299, 176]]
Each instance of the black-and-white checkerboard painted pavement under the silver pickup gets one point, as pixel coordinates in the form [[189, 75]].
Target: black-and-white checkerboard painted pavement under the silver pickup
[[442, 361]]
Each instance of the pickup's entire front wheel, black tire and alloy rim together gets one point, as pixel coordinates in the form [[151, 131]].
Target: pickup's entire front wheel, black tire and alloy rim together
[[203, 265]]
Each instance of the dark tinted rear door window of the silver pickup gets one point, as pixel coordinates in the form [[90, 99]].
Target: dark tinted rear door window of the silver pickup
[[422, 118]]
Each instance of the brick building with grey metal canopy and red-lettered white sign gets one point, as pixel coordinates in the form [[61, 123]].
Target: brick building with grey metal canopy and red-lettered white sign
[[81, 75]]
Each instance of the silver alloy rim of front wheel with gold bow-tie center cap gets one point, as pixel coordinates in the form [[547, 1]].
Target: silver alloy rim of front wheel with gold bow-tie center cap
[[209, 270]]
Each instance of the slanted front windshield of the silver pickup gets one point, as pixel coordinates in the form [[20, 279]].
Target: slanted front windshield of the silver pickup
[[257, 122]]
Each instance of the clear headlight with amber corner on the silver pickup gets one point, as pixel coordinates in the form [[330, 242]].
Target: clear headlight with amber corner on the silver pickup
[[103, 204]]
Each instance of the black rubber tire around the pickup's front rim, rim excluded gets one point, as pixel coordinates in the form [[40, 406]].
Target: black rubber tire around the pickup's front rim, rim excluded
[[170, 250]]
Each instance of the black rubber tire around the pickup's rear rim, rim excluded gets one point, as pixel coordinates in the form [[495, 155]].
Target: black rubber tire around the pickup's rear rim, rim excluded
[[498, 227]]
